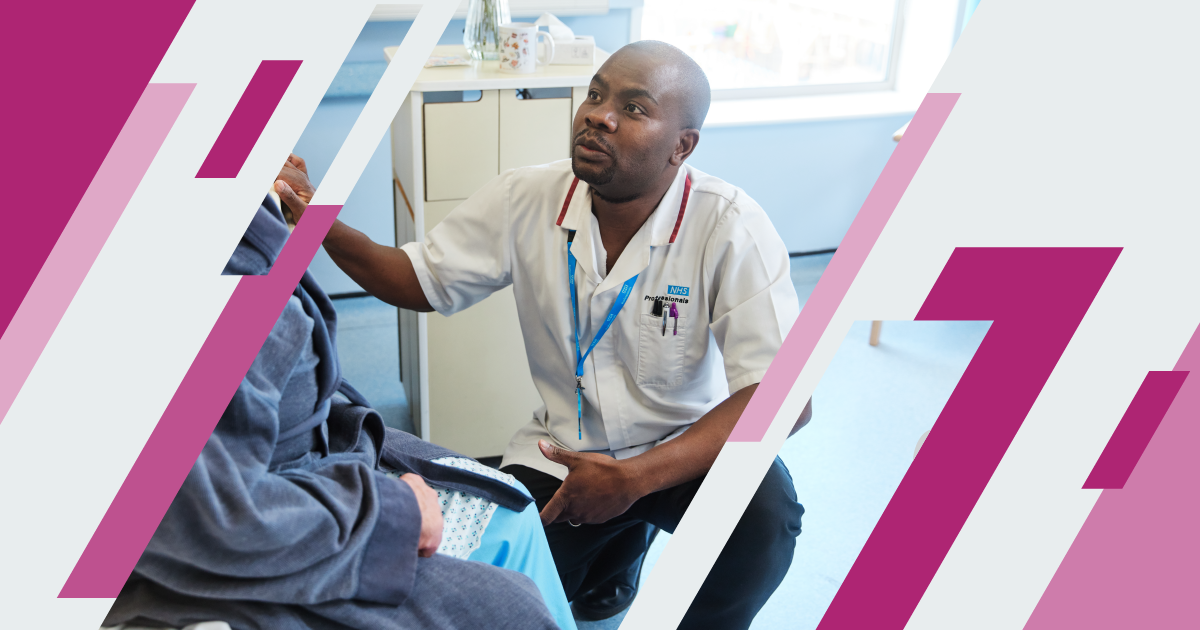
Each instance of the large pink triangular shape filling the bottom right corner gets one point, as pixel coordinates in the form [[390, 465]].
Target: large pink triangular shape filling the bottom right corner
[[1135, 561]]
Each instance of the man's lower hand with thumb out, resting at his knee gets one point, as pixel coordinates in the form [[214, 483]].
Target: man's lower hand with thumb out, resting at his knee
[[596, 490]]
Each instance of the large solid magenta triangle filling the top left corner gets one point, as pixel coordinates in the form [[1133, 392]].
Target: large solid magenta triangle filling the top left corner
[[65, 122]]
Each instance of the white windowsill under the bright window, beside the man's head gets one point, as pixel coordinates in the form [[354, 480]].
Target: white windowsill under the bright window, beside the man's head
[[746, 112]]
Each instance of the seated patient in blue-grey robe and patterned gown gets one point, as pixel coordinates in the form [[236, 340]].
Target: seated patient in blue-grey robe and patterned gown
[[304, 512]]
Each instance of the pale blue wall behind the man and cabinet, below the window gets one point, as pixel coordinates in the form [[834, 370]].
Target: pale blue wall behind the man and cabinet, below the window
[[812, 178]]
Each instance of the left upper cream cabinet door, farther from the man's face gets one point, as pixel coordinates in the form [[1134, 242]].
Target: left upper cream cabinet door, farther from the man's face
[[461, 147]]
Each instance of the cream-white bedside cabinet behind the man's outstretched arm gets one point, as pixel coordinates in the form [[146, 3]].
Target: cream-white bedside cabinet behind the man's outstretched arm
[[467, 376]]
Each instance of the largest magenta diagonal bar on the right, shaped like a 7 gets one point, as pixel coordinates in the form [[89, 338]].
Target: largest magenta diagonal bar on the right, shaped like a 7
[[1036, 299]]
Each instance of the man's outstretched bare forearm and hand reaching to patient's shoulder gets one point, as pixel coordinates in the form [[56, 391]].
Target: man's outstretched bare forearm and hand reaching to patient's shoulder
[[386, 273]]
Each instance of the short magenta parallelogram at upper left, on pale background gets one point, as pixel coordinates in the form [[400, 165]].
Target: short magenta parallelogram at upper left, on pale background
[[249, 119]]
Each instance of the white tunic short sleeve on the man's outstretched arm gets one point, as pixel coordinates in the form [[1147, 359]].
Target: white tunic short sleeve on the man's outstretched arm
[[469, 256]]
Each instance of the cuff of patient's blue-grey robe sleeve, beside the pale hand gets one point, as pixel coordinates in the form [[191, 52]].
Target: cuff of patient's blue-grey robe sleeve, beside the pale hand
[[389, 565]]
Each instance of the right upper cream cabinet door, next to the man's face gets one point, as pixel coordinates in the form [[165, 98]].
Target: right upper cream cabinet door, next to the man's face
[[533, 131]]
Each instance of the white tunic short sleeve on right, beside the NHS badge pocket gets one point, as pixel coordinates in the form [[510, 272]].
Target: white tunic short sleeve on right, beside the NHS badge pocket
[[752, 302]]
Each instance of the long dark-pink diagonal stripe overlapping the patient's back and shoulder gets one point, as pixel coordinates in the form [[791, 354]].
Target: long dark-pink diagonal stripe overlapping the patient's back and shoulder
[[193, 413]]
